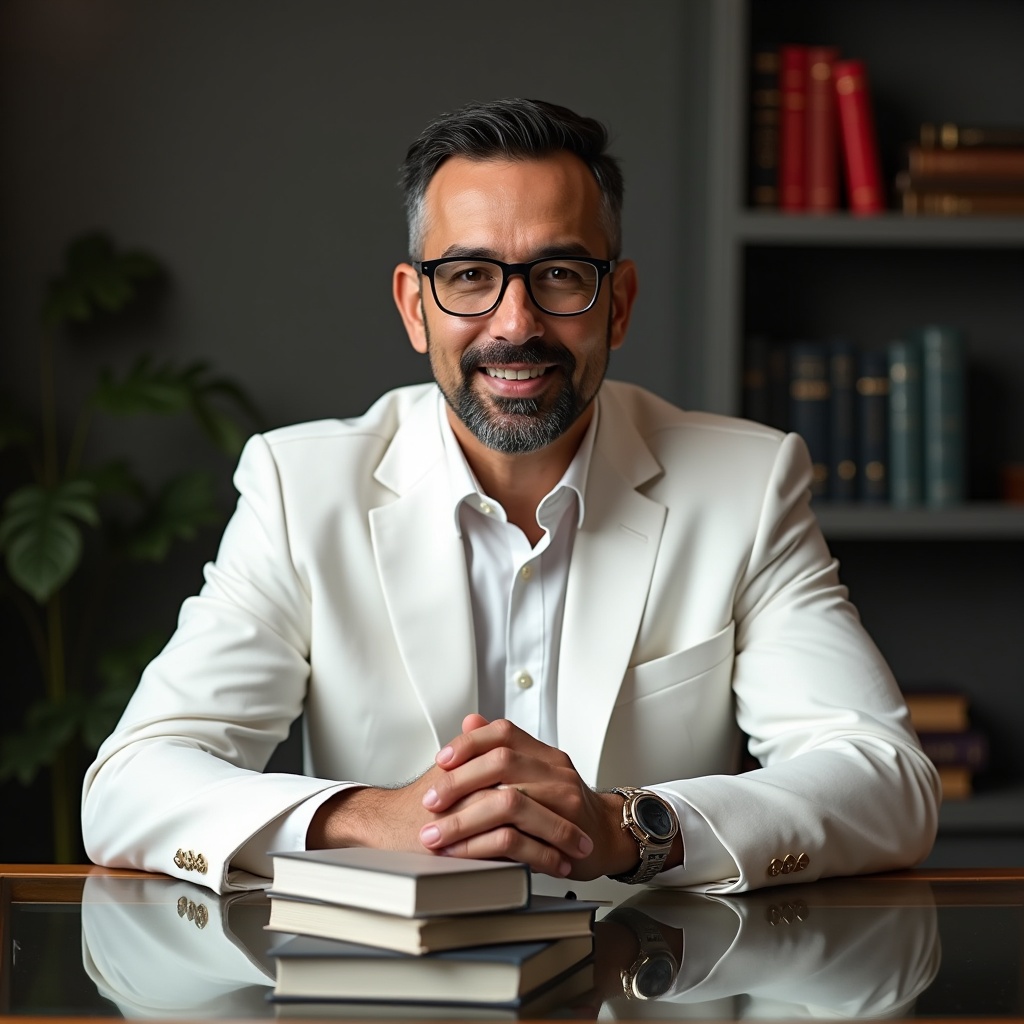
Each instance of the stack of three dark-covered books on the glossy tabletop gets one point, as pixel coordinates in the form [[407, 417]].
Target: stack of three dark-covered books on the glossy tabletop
[[378, 929]]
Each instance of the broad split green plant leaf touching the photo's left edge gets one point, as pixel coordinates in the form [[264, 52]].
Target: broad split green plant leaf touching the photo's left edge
[[40, 536]]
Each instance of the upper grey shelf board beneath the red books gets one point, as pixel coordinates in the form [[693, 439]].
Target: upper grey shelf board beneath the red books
[[772, 229]]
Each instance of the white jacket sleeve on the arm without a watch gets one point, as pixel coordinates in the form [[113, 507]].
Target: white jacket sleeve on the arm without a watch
[[179, 787]]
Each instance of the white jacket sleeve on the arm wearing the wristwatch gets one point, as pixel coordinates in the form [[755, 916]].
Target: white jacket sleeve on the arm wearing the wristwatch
[[844, 787]]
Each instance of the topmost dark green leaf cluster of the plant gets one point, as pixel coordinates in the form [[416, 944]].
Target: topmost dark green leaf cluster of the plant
[[97, 278]]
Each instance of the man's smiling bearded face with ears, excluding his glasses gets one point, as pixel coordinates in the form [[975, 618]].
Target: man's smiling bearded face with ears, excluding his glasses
[[516, 211]]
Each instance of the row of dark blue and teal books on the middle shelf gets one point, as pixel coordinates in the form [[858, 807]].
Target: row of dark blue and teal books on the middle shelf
[[882, 425]]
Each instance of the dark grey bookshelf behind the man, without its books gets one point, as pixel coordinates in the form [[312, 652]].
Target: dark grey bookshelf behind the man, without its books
[[943, 592]]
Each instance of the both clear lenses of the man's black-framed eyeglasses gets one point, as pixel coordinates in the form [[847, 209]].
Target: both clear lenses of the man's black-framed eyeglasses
[[559, 286]]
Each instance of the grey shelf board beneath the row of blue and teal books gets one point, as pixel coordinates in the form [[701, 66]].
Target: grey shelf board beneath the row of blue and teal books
[[979, 522]]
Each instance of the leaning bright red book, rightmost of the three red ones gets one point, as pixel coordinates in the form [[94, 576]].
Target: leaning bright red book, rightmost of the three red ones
[[860, 143]]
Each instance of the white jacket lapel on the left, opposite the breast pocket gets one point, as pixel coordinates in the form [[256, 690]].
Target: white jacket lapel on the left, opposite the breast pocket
[[422, 569]]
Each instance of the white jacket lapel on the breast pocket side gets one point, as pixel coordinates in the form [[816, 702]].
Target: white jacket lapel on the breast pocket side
[[614, 560]]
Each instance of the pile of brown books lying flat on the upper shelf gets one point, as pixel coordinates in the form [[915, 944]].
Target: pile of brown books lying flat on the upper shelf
[[964, 170]]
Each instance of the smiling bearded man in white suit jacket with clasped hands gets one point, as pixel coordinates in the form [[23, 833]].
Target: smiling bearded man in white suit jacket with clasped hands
[[528, 590]]
